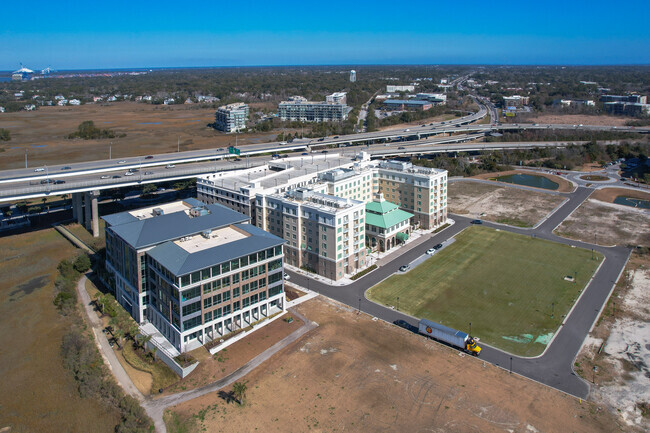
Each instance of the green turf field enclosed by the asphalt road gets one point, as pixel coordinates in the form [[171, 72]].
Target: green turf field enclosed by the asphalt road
[[501, 282]]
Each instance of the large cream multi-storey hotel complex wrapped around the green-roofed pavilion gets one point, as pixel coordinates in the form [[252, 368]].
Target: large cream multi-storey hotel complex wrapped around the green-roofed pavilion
[[301, 199]]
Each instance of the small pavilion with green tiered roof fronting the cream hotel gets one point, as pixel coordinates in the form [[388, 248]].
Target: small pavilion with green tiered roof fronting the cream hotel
[[386, 224]]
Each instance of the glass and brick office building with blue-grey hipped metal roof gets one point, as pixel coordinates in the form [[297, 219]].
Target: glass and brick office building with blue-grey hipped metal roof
[[196, 272]]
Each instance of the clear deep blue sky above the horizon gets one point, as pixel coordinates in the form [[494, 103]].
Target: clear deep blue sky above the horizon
[[96, 34]]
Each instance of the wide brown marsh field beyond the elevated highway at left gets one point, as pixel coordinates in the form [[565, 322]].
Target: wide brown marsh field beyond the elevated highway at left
[[149, 129]]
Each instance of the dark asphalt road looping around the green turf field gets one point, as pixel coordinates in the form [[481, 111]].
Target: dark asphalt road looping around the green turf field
[[555, 366]]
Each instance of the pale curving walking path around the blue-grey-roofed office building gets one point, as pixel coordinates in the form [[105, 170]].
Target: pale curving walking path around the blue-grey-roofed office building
[[155, 408]]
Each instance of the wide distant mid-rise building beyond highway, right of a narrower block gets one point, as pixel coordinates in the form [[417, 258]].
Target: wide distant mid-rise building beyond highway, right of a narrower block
[[300, 109]]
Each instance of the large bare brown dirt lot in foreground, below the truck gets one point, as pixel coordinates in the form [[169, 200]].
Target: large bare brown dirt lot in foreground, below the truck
[[356, 374]]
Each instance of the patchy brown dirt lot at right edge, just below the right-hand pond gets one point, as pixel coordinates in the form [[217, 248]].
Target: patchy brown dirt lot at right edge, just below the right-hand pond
[[607, 224]]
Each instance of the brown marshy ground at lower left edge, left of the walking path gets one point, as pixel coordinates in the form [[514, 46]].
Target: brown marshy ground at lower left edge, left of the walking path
[[36, 393]]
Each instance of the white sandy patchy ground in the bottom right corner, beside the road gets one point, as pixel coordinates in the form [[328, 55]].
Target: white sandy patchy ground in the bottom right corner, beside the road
[[619, 348]]
